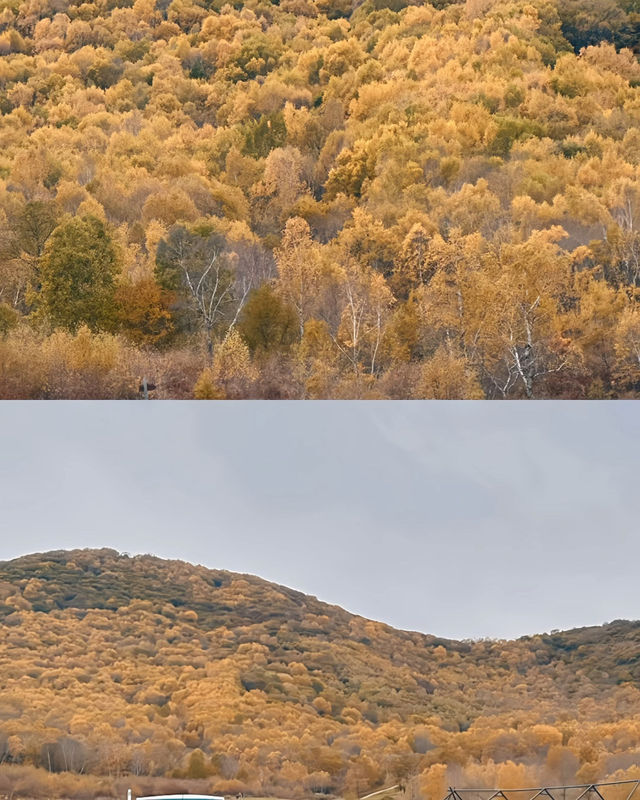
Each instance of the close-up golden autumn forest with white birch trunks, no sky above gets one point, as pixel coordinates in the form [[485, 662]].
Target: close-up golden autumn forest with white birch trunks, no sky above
[[319, 198]]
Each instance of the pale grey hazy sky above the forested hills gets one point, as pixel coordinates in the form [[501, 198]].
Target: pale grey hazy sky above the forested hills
[[459, 519]]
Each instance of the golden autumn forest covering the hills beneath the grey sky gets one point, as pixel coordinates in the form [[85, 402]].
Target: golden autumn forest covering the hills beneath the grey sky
[[122, 671]]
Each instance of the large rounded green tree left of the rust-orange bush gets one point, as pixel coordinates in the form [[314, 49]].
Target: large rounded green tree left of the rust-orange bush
[[78, 276]]
